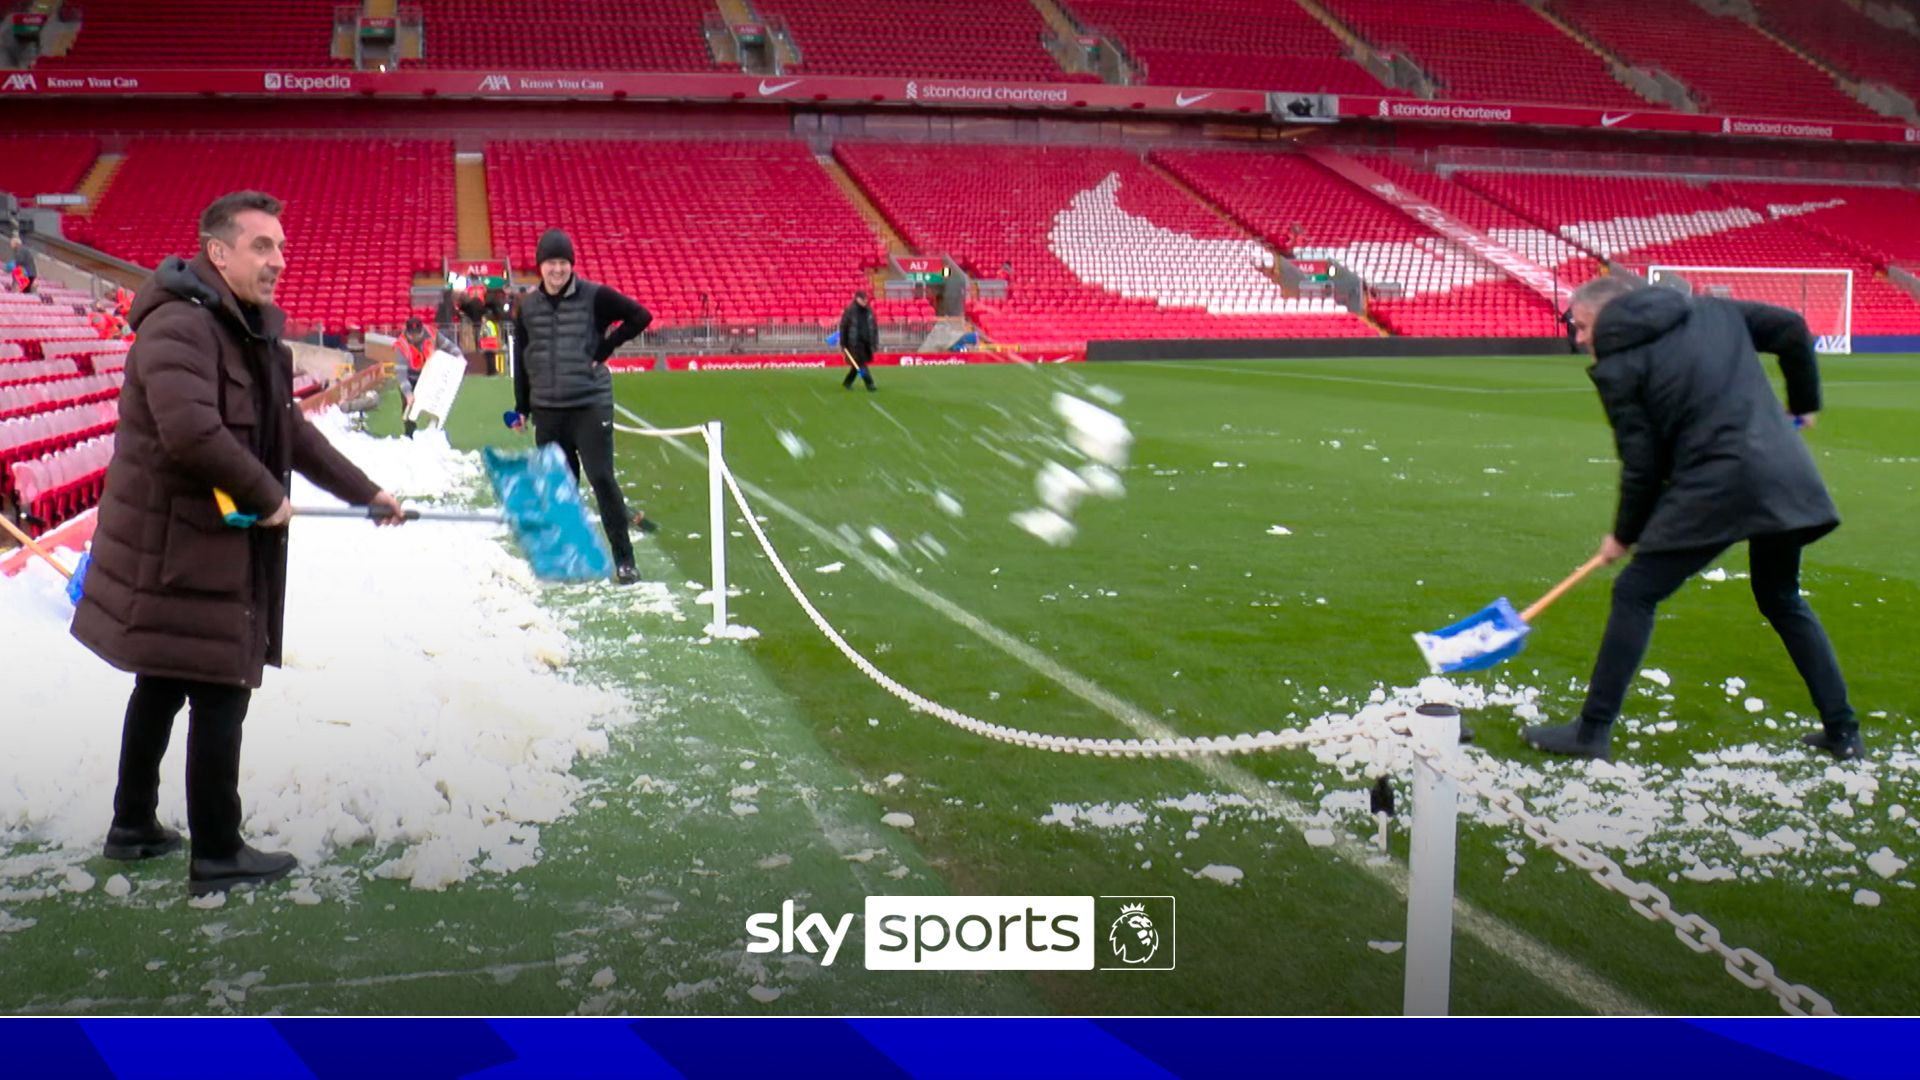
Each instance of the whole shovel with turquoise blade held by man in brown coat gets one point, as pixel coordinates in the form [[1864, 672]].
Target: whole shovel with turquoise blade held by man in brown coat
[[539, 501]]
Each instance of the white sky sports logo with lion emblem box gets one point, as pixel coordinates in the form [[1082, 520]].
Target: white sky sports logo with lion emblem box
[[984, 933]]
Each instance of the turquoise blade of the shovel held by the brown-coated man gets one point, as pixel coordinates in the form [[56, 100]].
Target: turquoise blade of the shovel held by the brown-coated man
[[548, 518]]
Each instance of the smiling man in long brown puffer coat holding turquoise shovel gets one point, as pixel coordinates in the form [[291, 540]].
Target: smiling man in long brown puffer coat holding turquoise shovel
[[178, 597]]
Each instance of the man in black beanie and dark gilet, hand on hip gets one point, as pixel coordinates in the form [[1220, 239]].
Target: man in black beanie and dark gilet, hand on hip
[[562, 341]]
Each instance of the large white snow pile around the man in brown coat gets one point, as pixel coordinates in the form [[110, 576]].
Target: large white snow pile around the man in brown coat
[[421, 708]]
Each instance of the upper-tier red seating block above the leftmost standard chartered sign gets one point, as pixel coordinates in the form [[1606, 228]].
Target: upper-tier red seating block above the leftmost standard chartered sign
[[980, 39]]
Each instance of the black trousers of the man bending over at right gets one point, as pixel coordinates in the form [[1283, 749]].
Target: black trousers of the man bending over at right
[[1650, 579]]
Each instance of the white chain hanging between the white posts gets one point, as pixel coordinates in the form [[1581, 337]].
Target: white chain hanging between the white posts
[[1746, 966]]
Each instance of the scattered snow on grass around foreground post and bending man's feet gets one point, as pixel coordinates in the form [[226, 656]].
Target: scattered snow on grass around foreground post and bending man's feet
[[1750, 812]]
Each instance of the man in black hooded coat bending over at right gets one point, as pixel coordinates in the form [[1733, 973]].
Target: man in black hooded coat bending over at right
[[1708, 460]]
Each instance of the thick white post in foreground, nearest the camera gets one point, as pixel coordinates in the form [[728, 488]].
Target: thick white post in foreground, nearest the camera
[[1431, 868]]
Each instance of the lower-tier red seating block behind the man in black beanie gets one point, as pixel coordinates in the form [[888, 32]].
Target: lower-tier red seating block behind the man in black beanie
[[756, 228]]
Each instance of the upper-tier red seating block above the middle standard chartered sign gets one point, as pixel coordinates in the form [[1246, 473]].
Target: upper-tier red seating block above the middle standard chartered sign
[[1493, 53]]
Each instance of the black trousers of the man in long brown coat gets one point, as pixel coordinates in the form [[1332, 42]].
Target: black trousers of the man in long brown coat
[[212, 758]]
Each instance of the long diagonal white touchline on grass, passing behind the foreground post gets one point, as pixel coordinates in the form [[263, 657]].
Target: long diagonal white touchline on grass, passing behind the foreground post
[[1566, 975]]
